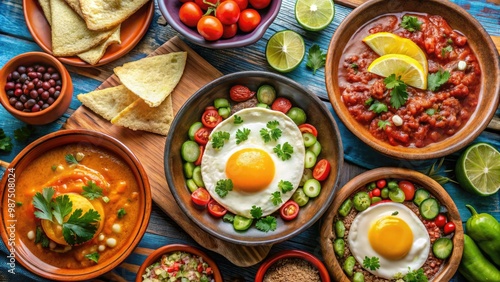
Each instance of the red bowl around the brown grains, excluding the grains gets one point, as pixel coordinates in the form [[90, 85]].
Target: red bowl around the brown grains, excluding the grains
[[293, 254]]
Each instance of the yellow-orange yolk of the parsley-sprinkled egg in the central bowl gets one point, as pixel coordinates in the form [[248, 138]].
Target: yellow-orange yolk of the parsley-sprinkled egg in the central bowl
[[250, 170]]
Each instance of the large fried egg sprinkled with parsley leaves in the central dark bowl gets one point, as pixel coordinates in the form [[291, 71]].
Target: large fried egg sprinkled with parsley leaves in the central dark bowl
[[252, 164]]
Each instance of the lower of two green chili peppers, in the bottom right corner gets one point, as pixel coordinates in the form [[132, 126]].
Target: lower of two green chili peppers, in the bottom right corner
[[474, 266]]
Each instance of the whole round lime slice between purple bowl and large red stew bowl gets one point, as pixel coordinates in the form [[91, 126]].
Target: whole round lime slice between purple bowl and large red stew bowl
[[285, 50]]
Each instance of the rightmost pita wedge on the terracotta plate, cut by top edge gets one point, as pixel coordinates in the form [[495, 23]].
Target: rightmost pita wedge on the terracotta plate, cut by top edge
[[105, 14]]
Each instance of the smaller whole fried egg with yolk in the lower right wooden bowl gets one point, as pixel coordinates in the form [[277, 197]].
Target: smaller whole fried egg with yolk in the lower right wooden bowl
[[392, 233]]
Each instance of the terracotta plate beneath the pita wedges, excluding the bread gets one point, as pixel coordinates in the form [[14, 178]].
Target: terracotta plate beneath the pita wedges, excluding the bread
[[132, 30]]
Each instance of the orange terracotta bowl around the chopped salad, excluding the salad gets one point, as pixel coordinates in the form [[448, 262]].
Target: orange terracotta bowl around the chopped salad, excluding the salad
[[157, 254]]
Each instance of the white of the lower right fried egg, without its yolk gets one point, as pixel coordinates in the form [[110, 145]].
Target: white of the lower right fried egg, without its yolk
[[360, 246]]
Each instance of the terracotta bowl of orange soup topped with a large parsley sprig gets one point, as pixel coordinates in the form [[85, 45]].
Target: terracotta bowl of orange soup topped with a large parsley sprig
[[75, 203]]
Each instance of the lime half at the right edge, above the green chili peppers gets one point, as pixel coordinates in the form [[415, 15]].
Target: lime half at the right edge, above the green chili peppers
[[478, 169]]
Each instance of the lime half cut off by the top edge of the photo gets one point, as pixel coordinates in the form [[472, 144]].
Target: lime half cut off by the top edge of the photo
[[314, 14]]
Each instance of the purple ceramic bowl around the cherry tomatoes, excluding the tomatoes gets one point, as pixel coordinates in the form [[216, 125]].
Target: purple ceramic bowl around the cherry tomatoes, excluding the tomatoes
[[170, 10]]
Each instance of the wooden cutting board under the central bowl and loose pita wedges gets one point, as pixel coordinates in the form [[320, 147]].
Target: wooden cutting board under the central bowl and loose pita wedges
[[149, 148]]
